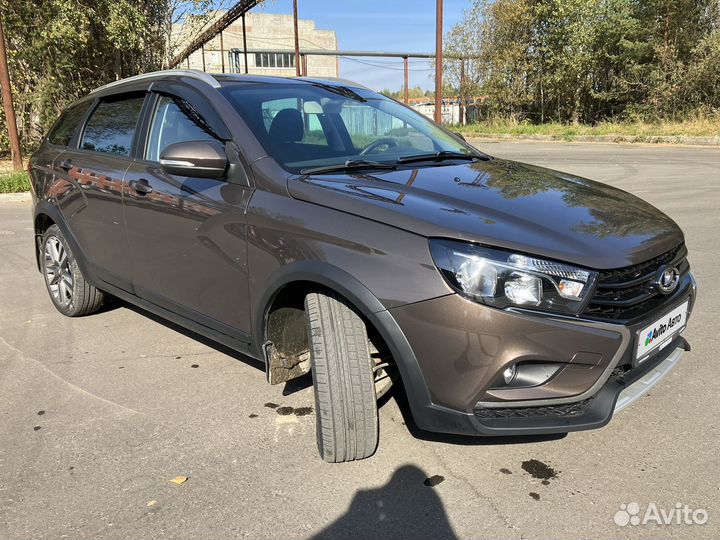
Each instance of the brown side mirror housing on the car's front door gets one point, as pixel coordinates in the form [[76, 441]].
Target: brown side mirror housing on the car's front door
[[201, 159]]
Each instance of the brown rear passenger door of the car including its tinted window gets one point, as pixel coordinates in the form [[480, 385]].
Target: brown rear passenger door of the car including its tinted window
[[94, 170]]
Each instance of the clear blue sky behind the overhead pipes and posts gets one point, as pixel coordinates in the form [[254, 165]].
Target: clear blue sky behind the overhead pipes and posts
[[378, 25]]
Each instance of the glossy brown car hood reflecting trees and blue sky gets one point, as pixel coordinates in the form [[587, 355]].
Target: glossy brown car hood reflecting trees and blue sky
[[504, 204]]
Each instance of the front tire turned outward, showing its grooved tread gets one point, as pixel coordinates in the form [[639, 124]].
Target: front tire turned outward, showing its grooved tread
[[345, 402]]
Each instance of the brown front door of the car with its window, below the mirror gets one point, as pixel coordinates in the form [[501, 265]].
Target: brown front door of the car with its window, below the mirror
[[187, 235]]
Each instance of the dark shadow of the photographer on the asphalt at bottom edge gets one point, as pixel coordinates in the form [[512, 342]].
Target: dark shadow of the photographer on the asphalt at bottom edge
[[408, 506]]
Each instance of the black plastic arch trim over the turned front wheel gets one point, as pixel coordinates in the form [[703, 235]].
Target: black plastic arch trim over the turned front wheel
[[369, 306]]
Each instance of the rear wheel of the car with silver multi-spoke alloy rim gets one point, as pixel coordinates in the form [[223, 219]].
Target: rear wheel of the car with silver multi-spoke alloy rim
[[69, 291]]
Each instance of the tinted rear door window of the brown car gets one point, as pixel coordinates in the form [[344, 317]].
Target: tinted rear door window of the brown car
[[111, 126]]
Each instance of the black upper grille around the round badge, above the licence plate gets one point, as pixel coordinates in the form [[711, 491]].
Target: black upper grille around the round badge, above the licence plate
[[627, 292]]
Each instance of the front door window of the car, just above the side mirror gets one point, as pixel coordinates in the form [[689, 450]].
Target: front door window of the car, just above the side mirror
[[171, 125]]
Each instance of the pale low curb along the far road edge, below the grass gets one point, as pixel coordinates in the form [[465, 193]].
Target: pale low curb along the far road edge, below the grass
[[608, 139]]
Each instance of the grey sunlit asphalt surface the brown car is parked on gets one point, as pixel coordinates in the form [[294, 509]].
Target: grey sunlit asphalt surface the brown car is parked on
[[97, 415]]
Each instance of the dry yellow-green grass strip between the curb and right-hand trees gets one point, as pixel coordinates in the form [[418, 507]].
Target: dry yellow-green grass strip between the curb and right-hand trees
[[621, 131]]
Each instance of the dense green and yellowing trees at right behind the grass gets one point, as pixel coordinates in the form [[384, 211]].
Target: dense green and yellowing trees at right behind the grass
[[589, 60]]
